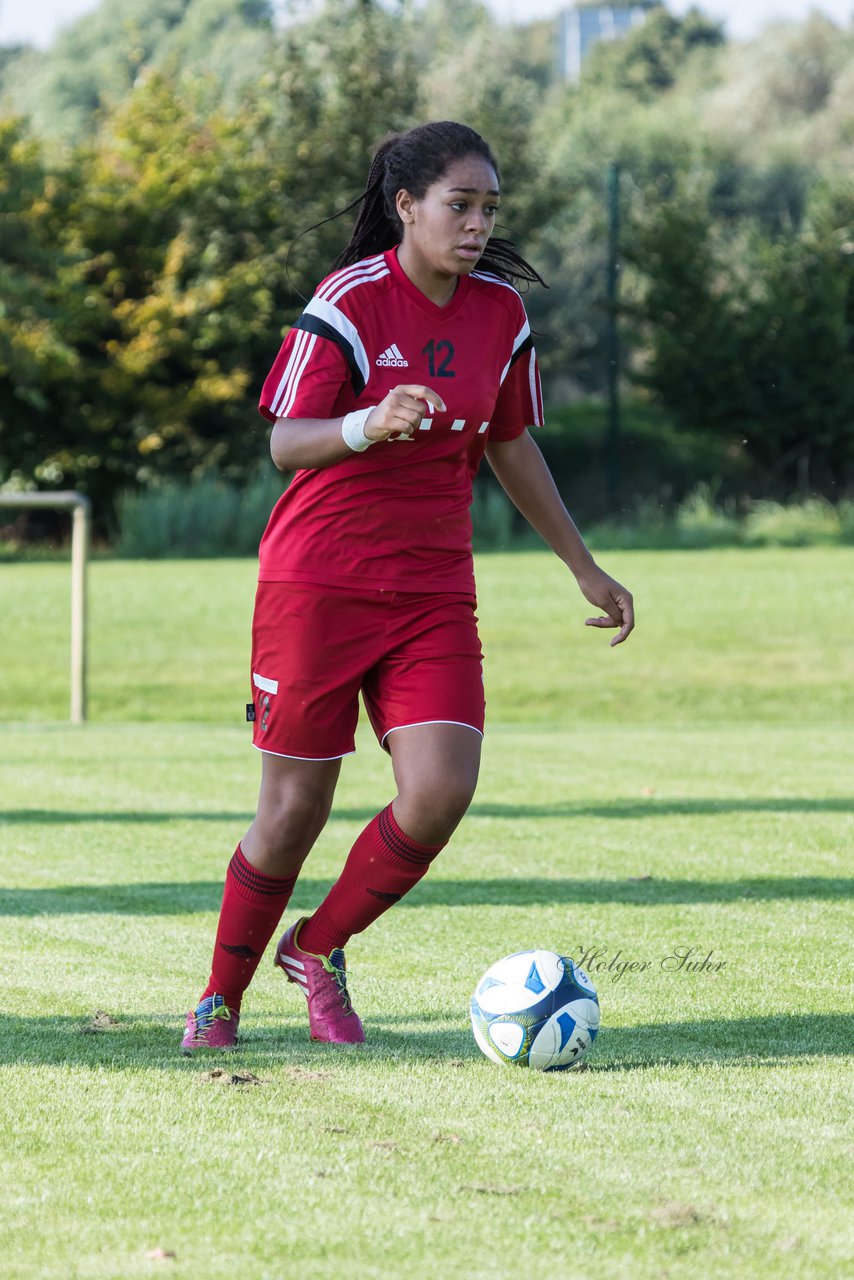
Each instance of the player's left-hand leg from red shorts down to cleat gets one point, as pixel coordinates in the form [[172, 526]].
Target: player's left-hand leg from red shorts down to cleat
[[305, 716]]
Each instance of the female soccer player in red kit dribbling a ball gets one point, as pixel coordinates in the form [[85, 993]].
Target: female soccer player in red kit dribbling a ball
[[410, 363]]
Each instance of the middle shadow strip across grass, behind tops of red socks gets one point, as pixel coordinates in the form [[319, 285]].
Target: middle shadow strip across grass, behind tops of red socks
[[194, 897]]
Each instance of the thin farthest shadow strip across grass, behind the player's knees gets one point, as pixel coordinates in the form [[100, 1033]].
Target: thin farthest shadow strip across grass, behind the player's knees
[[616, 810]]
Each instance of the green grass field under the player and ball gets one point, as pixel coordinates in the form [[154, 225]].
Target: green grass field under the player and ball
[[692, 789]]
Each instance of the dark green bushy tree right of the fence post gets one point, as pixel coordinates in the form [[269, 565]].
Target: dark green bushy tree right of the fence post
[[753, 340]]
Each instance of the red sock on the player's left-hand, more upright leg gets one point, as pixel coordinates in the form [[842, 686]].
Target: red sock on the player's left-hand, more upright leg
[[253, 907]]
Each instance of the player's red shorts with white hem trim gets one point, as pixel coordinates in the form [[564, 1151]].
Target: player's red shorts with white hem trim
[[415, 659]]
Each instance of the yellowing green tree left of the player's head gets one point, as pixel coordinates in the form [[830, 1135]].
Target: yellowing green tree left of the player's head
[[176, 243]]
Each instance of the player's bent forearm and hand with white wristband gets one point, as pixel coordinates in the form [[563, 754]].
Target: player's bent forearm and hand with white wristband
[[312, 444]]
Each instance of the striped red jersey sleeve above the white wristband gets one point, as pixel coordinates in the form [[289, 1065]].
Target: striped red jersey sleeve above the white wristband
[[307, 378]]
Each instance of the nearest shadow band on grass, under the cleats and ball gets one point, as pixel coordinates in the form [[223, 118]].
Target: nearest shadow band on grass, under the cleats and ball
[[152, 1043]]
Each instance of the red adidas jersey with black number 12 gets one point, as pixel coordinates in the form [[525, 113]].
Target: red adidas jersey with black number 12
[[396, 516]]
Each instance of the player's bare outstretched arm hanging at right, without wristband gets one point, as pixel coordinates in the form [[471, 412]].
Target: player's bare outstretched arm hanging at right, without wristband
[[523, 474]]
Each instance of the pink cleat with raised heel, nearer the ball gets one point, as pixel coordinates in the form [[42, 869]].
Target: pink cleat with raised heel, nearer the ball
[[323, 981]]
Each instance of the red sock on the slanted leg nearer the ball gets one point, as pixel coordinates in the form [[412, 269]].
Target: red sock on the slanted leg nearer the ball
[[381, 868]]
